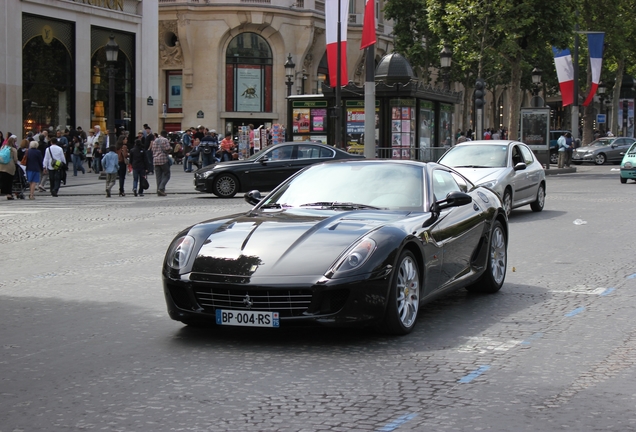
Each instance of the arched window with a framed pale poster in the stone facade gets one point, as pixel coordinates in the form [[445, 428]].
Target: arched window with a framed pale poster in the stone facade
[[248, 70]]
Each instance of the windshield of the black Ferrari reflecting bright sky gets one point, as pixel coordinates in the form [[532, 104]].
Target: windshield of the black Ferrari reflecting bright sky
[[354, 185]]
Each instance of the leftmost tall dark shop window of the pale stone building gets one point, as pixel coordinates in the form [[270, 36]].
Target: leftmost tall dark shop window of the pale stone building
[[48, 74]]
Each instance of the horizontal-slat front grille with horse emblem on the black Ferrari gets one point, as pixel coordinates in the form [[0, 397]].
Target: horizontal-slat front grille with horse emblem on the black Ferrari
[[288, 302]]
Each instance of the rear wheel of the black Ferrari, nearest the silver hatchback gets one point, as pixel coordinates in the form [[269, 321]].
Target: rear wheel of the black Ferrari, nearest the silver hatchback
[[493, 278]]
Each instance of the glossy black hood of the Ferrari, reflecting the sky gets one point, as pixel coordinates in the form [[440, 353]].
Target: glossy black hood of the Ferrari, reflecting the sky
[[283, 243]]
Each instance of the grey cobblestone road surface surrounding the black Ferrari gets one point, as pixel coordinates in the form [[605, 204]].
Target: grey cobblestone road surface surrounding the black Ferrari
[[87, 343]]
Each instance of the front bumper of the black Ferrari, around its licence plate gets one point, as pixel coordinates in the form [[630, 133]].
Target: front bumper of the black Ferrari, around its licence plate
[[332, 303]]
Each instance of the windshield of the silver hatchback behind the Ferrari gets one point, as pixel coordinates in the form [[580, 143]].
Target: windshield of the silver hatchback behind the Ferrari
[[476, 156]]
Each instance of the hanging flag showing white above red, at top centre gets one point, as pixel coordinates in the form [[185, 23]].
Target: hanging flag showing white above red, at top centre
[[331, 24]]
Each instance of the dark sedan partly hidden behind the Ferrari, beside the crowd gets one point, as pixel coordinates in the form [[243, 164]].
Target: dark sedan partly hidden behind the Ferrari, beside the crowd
[[264, 170]]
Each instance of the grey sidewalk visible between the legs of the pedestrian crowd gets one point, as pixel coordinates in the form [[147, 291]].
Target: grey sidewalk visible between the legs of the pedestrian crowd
[[89, 184]]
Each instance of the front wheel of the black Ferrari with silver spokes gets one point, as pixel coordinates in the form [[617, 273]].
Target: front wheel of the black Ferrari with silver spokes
[[404, 296]]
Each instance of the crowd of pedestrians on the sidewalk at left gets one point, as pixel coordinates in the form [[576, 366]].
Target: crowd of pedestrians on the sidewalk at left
[[45, 156]]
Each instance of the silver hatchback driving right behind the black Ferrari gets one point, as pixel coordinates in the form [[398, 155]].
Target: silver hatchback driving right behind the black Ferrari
[[507, 167]]
